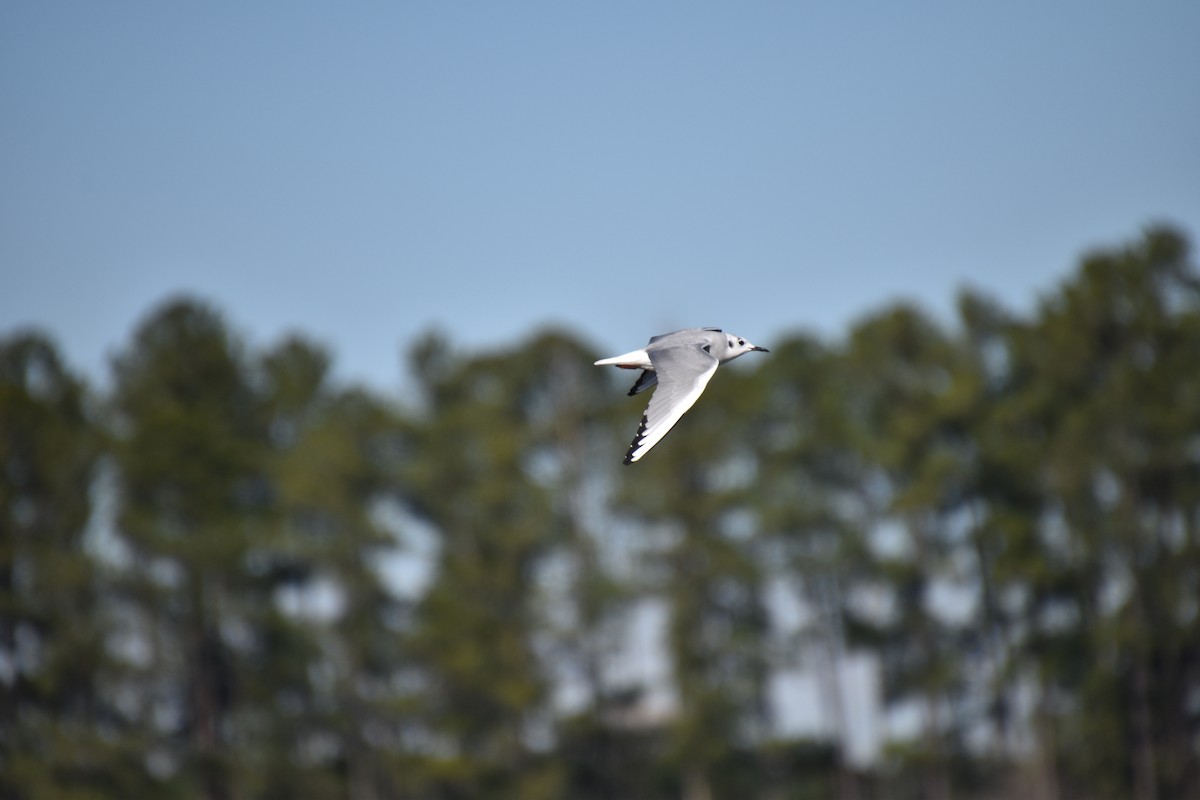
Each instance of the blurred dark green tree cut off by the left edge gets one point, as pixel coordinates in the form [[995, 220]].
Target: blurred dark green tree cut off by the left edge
[[61, 736]]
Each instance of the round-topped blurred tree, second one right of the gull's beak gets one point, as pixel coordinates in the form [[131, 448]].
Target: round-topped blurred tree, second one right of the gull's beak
[[908, 396]]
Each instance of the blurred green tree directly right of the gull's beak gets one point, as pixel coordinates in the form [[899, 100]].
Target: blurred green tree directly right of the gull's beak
[[815, 512]]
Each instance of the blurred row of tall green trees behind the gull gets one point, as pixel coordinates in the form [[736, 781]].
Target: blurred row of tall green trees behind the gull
[[200, 594]]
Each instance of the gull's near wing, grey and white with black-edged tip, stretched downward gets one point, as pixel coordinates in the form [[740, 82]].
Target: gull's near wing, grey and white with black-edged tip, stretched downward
[[683, 374]]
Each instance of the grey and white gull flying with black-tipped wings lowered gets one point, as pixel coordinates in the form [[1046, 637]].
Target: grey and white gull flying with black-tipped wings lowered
[[681, 364]]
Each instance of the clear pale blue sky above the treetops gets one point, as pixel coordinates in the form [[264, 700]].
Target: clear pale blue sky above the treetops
[[367, 172]]
